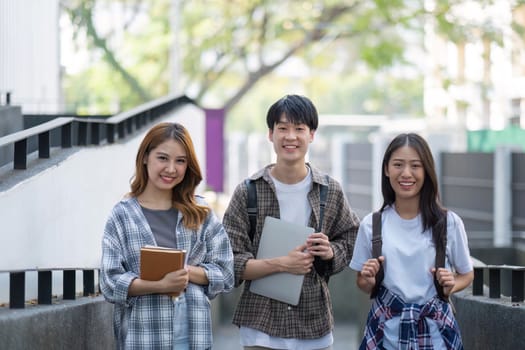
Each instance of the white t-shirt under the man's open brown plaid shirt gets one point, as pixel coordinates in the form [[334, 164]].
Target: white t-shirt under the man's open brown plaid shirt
[[294, 207]]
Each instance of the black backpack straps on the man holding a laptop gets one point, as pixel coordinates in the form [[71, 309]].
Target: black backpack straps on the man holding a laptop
[[252, 215]]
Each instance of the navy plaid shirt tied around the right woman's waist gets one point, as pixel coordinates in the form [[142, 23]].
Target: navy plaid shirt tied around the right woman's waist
[[413, 329]]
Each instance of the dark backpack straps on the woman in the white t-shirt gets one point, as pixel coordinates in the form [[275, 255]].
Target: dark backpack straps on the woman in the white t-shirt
[[441, 244]]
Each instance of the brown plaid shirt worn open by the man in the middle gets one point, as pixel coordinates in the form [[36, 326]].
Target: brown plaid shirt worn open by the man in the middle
[[312, 318]]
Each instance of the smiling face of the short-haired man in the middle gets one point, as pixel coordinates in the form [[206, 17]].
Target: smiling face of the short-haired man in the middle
[[290, 141]]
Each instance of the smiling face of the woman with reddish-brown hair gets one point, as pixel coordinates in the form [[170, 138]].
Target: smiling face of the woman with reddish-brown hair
[[166, 166]]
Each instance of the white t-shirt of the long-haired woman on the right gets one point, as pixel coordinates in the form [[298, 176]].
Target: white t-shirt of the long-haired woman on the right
[[409, 257]]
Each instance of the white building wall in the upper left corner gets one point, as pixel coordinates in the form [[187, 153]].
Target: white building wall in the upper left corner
[[30, 55]]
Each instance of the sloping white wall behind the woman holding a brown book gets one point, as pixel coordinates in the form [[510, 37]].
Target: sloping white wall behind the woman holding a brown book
[[55, 217]]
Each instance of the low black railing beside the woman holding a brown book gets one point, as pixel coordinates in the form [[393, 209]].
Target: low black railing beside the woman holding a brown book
[[17, 284]]
